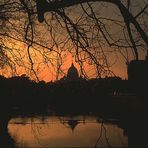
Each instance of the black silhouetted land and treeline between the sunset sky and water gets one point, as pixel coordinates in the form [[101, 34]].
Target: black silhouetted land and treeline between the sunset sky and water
[[117, 101]]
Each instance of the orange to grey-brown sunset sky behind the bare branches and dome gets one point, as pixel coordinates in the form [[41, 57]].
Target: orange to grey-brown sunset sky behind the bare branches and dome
[[51, 40]]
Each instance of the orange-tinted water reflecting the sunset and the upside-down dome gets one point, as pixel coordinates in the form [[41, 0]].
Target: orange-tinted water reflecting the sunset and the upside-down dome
[[65, 132]]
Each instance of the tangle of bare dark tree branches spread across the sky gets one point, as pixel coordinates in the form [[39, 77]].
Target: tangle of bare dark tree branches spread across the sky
[[81, 27]]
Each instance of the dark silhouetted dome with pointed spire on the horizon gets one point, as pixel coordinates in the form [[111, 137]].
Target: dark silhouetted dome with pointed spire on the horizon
[[72, 73]]
